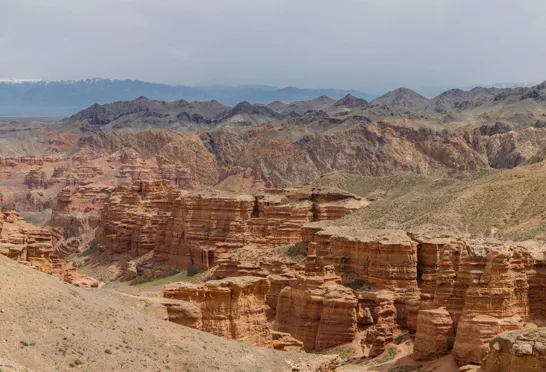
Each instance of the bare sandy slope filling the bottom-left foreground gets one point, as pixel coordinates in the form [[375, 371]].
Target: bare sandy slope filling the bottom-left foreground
[[48, 326]]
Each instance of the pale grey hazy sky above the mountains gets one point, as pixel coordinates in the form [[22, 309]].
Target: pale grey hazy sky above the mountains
[[371, 45]]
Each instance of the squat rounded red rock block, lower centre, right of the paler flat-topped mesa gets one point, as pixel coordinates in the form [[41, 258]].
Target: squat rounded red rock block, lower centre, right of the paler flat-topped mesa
[[317, 310]]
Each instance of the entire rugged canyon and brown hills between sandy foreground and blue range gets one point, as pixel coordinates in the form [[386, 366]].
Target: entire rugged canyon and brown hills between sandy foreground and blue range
[[388, 236]]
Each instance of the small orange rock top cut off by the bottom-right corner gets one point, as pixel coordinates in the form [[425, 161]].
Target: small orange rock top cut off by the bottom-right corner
[[517, 351]]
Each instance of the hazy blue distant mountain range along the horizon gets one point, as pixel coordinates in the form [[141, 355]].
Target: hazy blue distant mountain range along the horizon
[[34, 97]]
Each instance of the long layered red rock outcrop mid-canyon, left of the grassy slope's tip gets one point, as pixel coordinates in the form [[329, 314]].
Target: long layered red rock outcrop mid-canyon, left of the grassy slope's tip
[[191, 229]]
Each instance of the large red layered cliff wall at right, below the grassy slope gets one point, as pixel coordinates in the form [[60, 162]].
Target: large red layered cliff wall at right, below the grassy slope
[[456, 293]]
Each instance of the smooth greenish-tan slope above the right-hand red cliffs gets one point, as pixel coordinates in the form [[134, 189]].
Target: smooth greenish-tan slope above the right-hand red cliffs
[[507, 204]]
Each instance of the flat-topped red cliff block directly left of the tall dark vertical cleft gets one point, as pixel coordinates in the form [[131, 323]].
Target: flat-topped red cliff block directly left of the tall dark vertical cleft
[[384, 259]]
